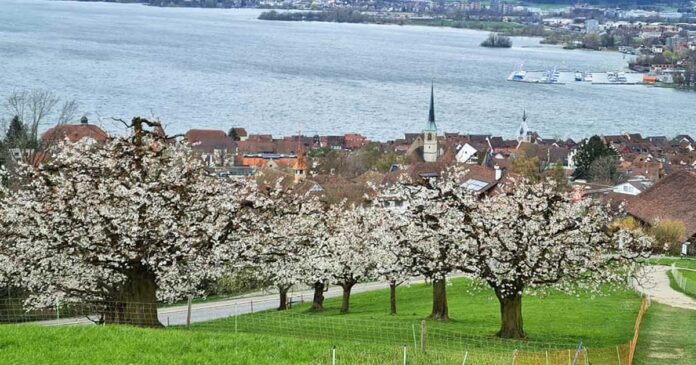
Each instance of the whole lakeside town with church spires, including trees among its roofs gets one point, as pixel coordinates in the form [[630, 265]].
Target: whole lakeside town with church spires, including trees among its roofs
[[642, 172]]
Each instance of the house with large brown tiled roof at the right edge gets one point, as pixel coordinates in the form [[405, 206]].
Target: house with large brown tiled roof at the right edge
[[674, 198]]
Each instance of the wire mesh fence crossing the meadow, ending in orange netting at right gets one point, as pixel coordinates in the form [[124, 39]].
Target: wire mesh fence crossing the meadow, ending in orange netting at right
[[418, 342]]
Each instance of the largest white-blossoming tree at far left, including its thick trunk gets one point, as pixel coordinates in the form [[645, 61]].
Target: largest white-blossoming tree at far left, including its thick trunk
[[133, 220]]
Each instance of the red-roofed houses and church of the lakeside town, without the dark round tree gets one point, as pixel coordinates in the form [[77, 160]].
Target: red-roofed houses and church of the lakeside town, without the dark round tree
[[659, 173]]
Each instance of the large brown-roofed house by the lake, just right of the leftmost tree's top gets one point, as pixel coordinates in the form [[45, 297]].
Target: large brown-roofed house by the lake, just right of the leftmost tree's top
[[215, 147]]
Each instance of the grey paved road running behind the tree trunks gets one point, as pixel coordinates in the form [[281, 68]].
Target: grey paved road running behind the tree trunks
[[173, 316]]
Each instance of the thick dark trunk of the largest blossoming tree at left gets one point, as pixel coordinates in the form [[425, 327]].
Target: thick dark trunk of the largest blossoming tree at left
[[136, 302]]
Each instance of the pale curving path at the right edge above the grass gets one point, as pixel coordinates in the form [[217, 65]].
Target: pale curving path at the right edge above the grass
[[657, 288]]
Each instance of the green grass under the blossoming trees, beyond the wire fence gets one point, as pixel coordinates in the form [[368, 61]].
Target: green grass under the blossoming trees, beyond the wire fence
[[553, 318]]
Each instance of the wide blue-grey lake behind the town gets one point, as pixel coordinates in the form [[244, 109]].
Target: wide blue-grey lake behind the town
[[212, 68]]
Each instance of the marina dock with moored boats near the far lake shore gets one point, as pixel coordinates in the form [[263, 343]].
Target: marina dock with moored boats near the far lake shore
[[556, 77]]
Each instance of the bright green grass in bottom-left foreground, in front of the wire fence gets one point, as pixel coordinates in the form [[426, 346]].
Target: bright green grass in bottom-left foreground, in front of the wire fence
[[25, 344]]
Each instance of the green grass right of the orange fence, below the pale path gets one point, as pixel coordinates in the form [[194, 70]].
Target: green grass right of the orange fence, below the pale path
[[667, 337]]
